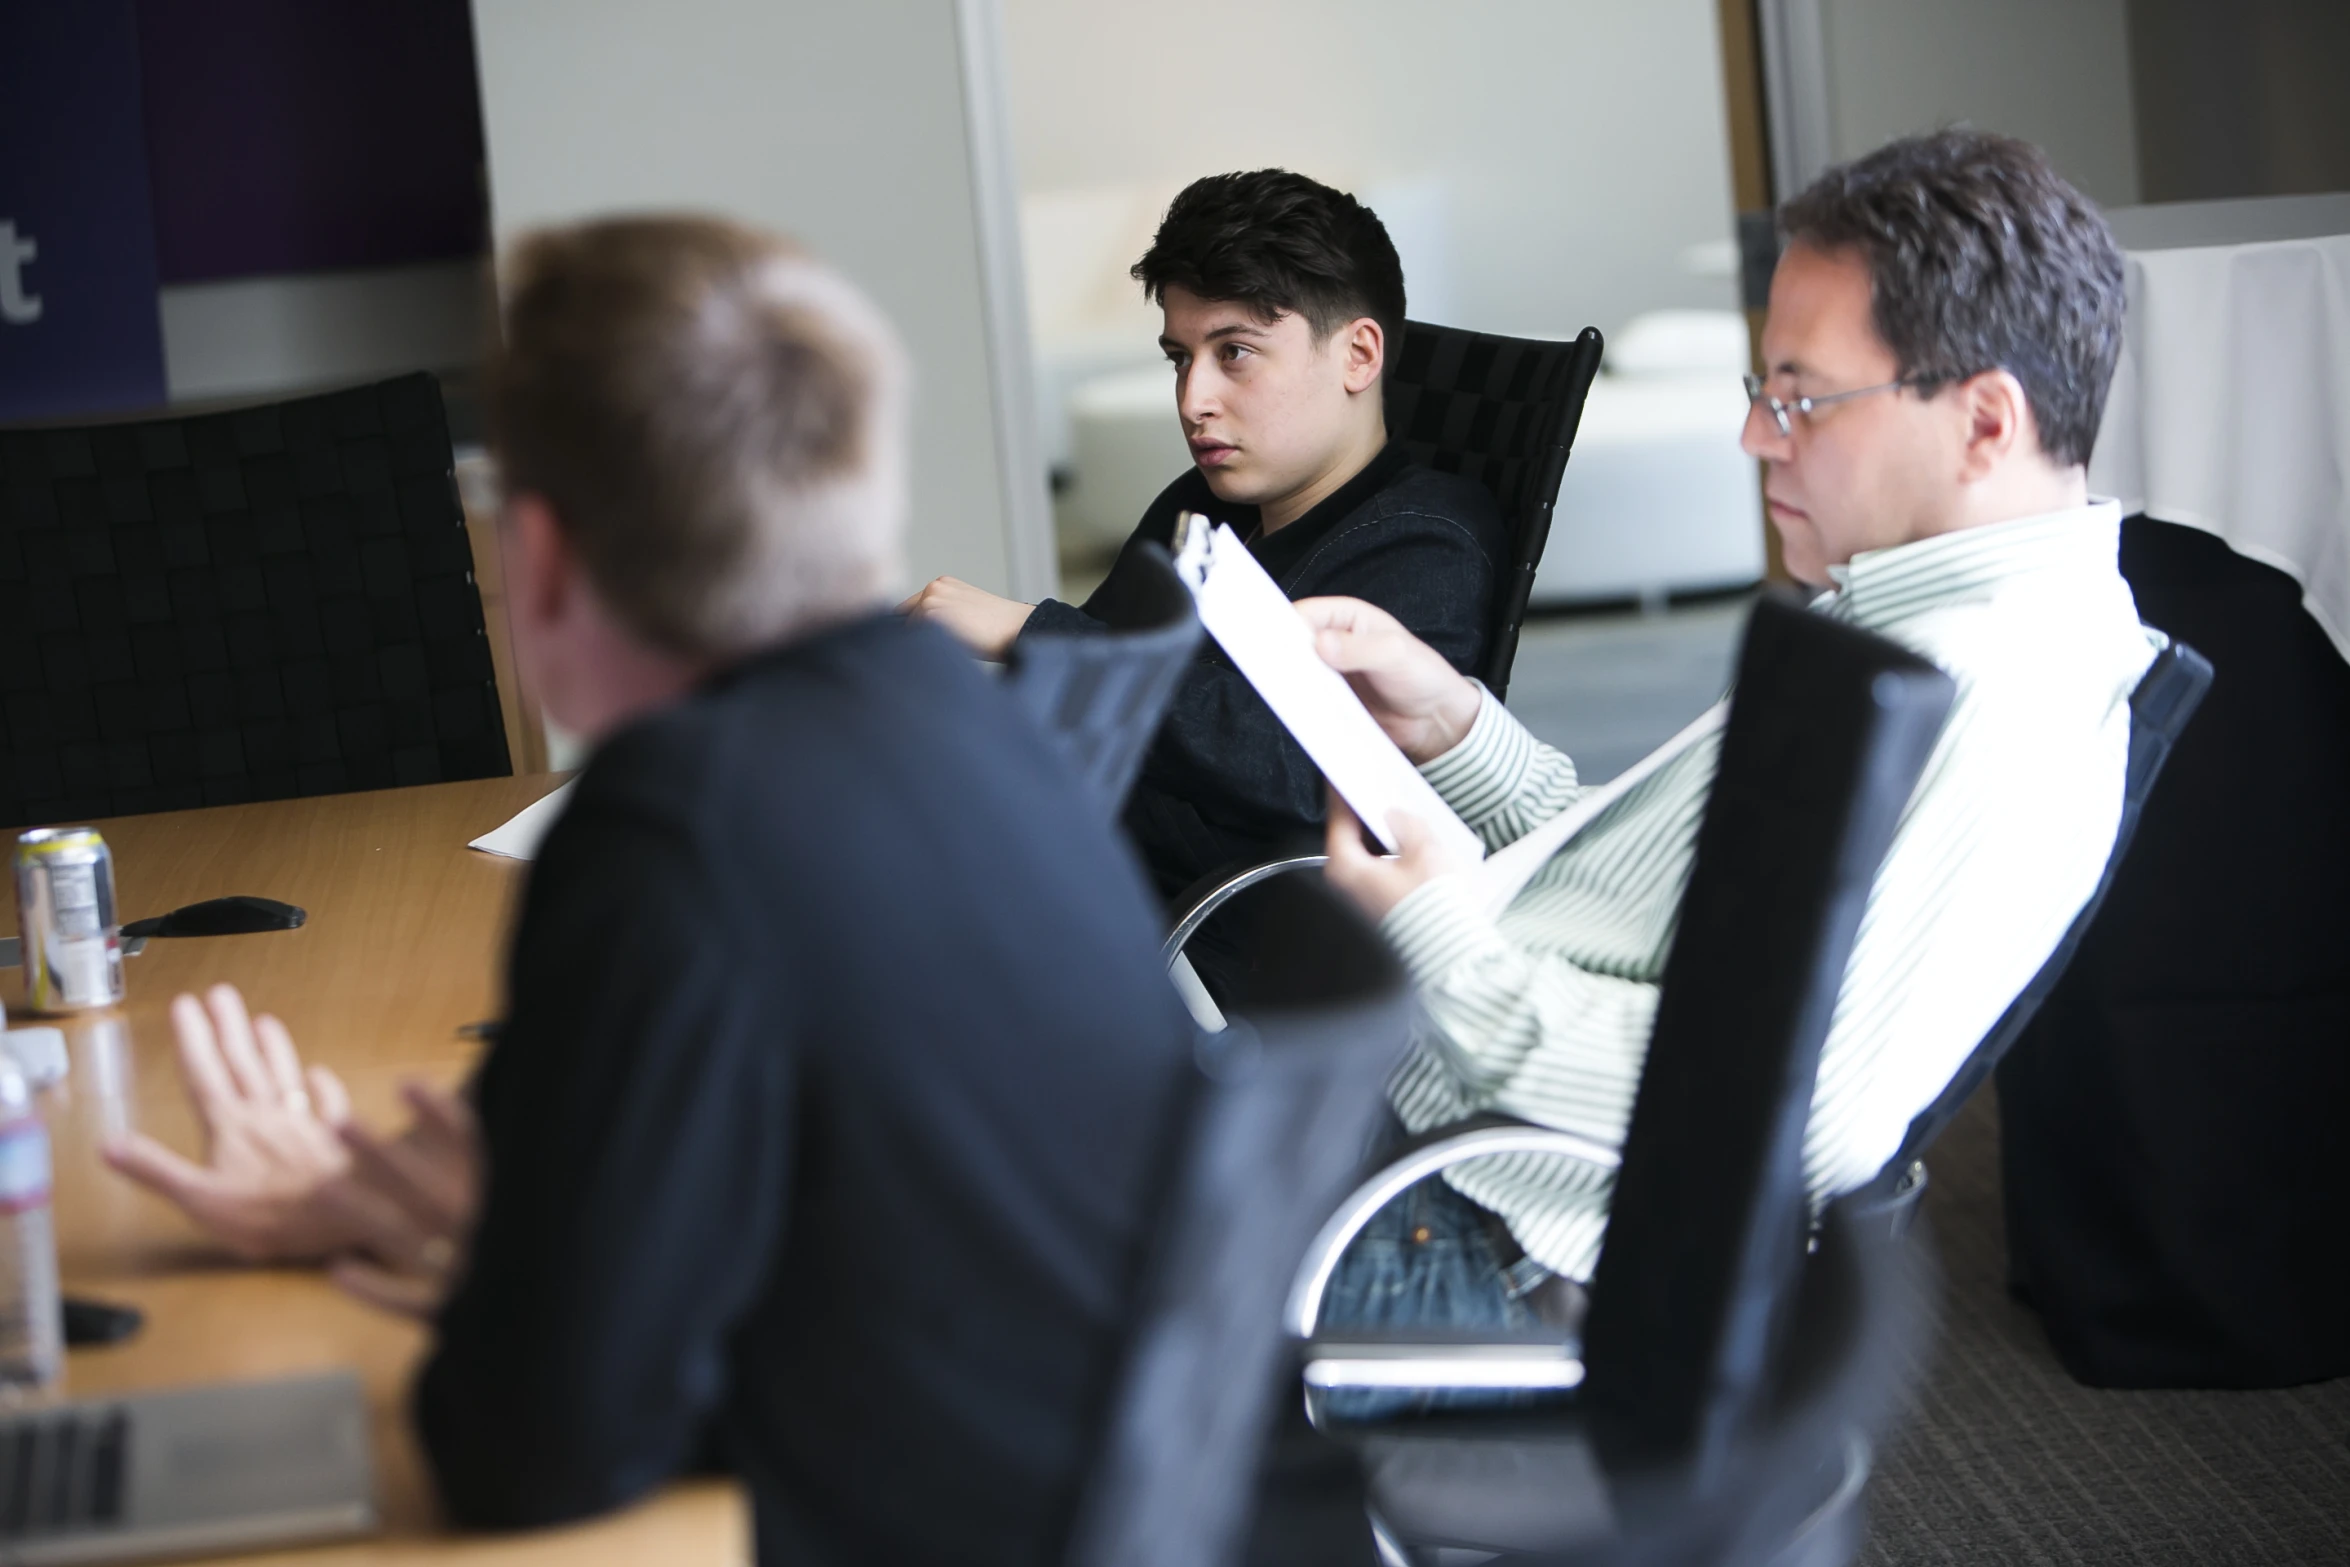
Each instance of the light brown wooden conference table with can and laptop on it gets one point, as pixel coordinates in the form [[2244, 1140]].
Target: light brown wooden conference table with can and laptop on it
[[403, 946]]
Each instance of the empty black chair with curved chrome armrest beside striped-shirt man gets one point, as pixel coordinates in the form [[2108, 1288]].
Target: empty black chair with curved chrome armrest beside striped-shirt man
[[1693, 1303]]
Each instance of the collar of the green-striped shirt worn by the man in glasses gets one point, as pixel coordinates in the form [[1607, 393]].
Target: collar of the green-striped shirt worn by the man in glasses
[[1886, 586]]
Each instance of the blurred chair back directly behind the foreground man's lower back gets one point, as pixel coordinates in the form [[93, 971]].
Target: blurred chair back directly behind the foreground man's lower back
[[1287, 1103]]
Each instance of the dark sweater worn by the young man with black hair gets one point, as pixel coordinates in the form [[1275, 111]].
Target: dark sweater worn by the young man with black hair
[[1223, 779]]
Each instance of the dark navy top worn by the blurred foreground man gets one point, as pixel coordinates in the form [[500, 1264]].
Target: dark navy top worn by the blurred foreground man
[[826, 1124]]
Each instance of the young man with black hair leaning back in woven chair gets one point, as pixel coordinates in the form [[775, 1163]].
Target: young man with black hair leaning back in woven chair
[[1282, 309]]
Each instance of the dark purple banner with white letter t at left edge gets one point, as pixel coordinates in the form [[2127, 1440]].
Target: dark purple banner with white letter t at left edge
[[79, 321]]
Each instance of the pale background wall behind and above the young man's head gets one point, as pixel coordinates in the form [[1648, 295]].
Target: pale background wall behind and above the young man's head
[[1547, 163]]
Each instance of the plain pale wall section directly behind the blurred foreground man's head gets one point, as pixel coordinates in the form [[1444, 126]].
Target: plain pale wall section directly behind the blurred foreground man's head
[[847, 126]]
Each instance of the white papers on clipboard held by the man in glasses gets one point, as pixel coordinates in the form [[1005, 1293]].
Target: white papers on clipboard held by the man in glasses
[[1265, 638]]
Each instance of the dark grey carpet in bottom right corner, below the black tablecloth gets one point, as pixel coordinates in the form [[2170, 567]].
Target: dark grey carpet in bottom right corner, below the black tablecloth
[[2008, 1460]]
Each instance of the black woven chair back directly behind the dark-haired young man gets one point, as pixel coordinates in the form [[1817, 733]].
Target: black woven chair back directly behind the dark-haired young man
[[1500, 412]]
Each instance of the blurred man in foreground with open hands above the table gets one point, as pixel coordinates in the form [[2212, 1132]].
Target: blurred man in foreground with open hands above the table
[[793, 1145]]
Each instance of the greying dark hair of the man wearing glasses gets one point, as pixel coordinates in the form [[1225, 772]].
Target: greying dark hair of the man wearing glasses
[[1980, 257]]
